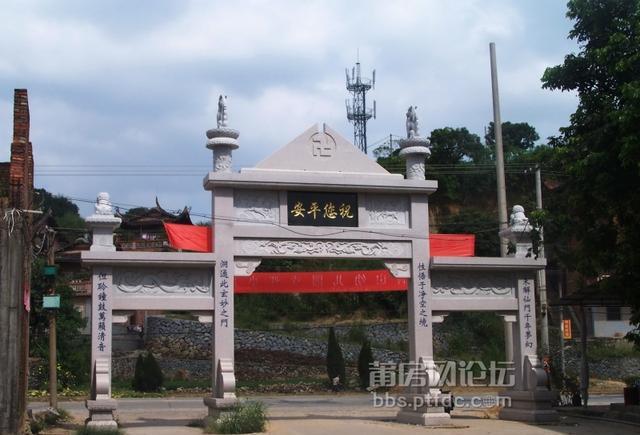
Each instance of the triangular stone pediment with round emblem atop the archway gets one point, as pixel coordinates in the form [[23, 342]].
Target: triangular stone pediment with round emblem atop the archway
[[321, 150]]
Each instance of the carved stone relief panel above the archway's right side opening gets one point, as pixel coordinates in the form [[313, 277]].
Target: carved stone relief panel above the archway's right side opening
[[491, 284]]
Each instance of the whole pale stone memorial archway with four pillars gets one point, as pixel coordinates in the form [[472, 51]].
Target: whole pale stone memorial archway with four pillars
[[316, 197]]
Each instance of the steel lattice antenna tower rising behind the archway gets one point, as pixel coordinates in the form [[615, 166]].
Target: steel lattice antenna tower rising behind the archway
[[357, 111]]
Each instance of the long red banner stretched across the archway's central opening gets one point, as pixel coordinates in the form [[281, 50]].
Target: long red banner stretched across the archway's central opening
[[360, 281]]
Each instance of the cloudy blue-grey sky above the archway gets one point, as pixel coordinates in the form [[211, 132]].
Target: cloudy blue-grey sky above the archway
[[127, 89]]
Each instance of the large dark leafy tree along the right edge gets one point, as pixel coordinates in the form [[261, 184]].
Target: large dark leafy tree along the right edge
[[600, 149]]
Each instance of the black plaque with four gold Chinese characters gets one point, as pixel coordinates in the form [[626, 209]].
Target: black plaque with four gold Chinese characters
[[322, 209]]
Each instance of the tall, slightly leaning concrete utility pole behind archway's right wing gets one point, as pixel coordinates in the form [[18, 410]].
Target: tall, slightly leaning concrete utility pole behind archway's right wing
[[502, 192]]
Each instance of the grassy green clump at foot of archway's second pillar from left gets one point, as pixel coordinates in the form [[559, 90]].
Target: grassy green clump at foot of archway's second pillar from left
[[246, 417]]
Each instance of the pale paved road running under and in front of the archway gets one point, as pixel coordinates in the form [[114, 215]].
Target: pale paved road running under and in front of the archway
[[335, 414]]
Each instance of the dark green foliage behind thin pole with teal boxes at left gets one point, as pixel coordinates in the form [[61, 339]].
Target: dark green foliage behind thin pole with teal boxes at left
[[73, 348]]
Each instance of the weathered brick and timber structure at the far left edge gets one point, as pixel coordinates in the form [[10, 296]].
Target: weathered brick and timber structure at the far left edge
[[16, 194]]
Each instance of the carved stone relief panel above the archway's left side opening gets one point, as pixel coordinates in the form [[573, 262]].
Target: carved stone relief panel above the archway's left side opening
[[166, 282]]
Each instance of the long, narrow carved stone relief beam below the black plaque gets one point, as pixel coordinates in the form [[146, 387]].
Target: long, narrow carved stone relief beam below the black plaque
[[306, 248]]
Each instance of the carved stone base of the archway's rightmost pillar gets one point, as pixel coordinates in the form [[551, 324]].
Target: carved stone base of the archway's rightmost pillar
[[530, 406]]
